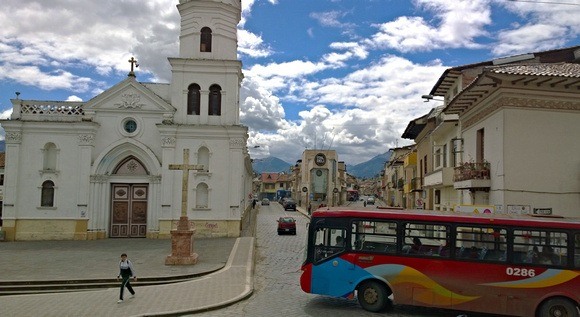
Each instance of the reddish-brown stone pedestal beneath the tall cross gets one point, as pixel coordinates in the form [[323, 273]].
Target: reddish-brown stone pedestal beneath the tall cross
[[182, 244]]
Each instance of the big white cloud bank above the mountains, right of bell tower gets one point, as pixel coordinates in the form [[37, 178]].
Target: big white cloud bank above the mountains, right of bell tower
[[365, 111]]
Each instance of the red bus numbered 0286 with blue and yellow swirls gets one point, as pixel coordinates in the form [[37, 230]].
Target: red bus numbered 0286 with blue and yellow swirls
[[488, 263]]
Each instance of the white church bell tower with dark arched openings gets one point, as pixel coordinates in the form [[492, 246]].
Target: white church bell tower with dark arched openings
[[206, 76]]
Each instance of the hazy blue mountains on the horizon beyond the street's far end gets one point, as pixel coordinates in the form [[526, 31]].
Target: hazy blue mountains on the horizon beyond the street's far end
[[369, 169]]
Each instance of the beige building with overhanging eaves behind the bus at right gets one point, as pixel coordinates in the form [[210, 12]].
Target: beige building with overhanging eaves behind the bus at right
[[509, 130]]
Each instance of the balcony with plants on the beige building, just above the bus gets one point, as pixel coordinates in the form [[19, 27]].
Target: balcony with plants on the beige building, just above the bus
[[472, 176]]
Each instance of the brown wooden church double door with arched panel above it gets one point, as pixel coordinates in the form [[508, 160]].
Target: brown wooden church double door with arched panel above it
[[129, 200]]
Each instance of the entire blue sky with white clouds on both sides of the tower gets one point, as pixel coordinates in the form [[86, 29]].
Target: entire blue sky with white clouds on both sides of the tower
[[345, 75]]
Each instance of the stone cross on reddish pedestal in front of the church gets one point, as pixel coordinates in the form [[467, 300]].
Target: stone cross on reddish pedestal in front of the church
[[182, 237]]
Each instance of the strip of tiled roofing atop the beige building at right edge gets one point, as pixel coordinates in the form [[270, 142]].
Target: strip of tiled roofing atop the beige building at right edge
[[571, 70]]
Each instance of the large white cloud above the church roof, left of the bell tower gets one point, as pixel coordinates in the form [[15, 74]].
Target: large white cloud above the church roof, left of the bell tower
[[71, 35]]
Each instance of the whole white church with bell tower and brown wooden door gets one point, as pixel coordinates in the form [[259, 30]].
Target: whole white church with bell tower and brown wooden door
[[100, 169]]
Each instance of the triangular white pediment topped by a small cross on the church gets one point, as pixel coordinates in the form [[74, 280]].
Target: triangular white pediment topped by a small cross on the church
[[128, 95]]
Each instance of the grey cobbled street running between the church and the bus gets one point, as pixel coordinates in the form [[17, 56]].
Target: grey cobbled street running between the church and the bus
[[276, 279]]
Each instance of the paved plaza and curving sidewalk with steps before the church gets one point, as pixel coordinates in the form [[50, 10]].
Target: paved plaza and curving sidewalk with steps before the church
[[77, 260]]
